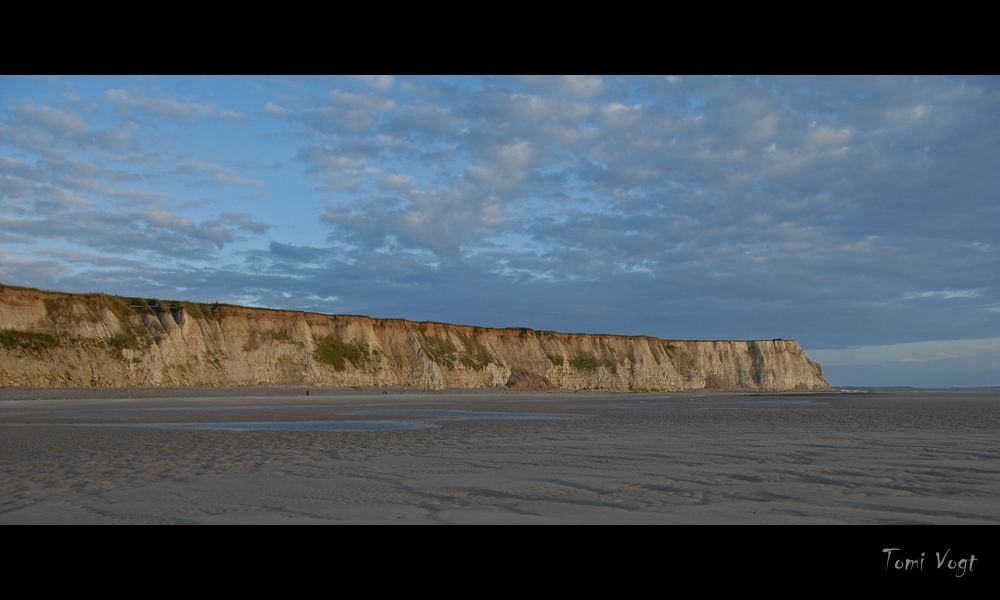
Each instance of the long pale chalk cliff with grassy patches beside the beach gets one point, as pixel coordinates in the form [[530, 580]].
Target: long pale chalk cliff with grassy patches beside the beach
[[97, 340]]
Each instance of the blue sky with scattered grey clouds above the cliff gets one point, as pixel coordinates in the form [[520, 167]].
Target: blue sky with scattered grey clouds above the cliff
[[859, 216]]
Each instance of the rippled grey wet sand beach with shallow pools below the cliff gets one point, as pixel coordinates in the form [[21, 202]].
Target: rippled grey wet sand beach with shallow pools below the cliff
[[274, 455]]
